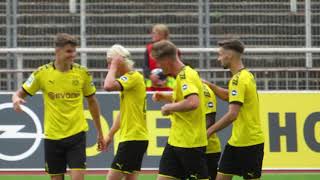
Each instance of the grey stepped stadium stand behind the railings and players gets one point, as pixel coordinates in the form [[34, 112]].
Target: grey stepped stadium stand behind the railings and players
[[258, 23]]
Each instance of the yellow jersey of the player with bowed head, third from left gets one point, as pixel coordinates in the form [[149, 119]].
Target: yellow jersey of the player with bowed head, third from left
[[188, 129]]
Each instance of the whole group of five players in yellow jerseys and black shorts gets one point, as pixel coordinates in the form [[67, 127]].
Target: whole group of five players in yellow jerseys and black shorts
[[193, 148]]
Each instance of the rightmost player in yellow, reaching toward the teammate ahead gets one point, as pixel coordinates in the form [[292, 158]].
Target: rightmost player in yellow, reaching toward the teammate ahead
[[243, 154]]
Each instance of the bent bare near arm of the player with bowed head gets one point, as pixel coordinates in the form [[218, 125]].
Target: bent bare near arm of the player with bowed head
[[188, 104]]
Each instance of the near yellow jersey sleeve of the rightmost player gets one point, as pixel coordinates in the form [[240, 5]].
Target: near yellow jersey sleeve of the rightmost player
[[237, 90]]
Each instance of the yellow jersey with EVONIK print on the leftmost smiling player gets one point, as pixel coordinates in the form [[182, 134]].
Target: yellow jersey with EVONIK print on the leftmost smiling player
[[63, 98]]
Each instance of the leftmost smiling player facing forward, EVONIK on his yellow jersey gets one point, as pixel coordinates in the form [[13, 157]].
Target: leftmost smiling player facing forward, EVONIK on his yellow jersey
[[64, 84]]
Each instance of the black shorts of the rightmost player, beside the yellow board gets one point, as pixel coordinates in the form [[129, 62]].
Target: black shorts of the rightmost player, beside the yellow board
[[242, 161]]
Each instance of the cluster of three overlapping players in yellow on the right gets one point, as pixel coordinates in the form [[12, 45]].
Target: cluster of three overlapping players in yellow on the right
[[183, 157]]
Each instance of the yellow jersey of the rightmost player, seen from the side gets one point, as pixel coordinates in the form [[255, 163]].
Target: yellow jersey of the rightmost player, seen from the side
[[247, 130]]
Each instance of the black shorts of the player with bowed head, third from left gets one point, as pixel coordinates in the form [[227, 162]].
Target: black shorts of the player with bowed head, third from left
[[183, 163]]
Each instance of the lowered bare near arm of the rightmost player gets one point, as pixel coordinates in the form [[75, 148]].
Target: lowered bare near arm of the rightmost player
[[226, 120]]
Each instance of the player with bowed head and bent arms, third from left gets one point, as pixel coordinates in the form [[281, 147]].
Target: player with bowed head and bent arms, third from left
[[184, 155]]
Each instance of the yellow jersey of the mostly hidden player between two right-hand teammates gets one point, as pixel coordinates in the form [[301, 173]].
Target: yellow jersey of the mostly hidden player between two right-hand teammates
[[211, 107]]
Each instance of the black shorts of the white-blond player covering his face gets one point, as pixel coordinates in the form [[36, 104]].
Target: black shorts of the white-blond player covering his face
[[129, 156]]
